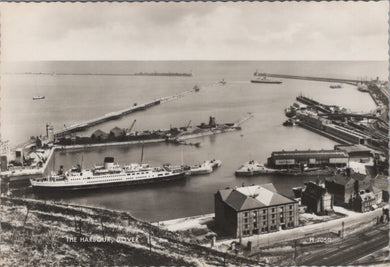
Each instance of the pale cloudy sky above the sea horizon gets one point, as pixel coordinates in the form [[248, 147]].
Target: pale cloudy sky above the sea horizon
[[195, 31]]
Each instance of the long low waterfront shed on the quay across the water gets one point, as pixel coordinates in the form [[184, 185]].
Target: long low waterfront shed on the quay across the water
[[311, 158]]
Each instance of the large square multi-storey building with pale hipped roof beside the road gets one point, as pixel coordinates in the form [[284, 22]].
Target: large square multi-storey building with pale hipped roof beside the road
[[255, 209]]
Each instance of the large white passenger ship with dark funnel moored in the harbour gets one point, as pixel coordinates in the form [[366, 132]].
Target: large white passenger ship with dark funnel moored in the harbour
[[107, 175]]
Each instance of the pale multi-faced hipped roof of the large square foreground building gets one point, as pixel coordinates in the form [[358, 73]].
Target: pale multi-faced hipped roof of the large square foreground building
[[253, 197]]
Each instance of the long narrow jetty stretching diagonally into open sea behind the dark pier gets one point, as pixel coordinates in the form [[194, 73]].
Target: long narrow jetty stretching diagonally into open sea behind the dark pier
[[118, 114]]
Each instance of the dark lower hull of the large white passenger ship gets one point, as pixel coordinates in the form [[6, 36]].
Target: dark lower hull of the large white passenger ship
[[172, 177]]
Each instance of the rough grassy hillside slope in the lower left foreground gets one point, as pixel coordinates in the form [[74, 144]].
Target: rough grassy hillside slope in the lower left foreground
[[35, 233]]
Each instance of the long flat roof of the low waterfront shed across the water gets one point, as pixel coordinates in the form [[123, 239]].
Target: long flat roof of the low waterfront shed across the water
[[310, 153]]
